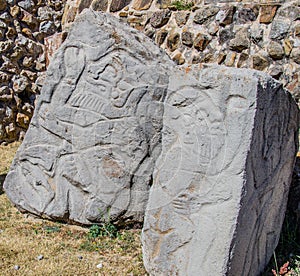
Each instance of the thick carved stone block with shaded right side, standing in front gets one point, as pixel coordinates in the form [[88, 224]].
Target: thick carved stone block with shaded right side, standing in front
[[221, 183]]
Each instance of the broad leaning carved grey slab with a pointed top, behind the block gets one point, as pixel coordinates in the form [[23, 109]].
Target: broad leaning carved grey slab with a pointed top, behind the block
[[90, 150]]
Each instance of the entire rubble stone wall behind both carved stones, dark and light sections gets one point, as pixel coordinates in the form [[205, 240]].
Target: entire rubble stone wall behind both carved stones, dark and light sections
[[260, 34]]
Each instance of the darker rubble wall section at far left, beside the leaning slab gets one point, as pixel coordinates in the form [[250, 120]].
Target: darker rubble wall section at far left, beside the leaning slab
[[24, 28]]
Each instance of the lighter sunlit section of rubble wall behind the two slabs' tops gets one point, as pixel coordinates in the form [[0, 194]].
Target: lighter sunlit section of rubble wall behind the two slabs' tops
[[261, 34]]
